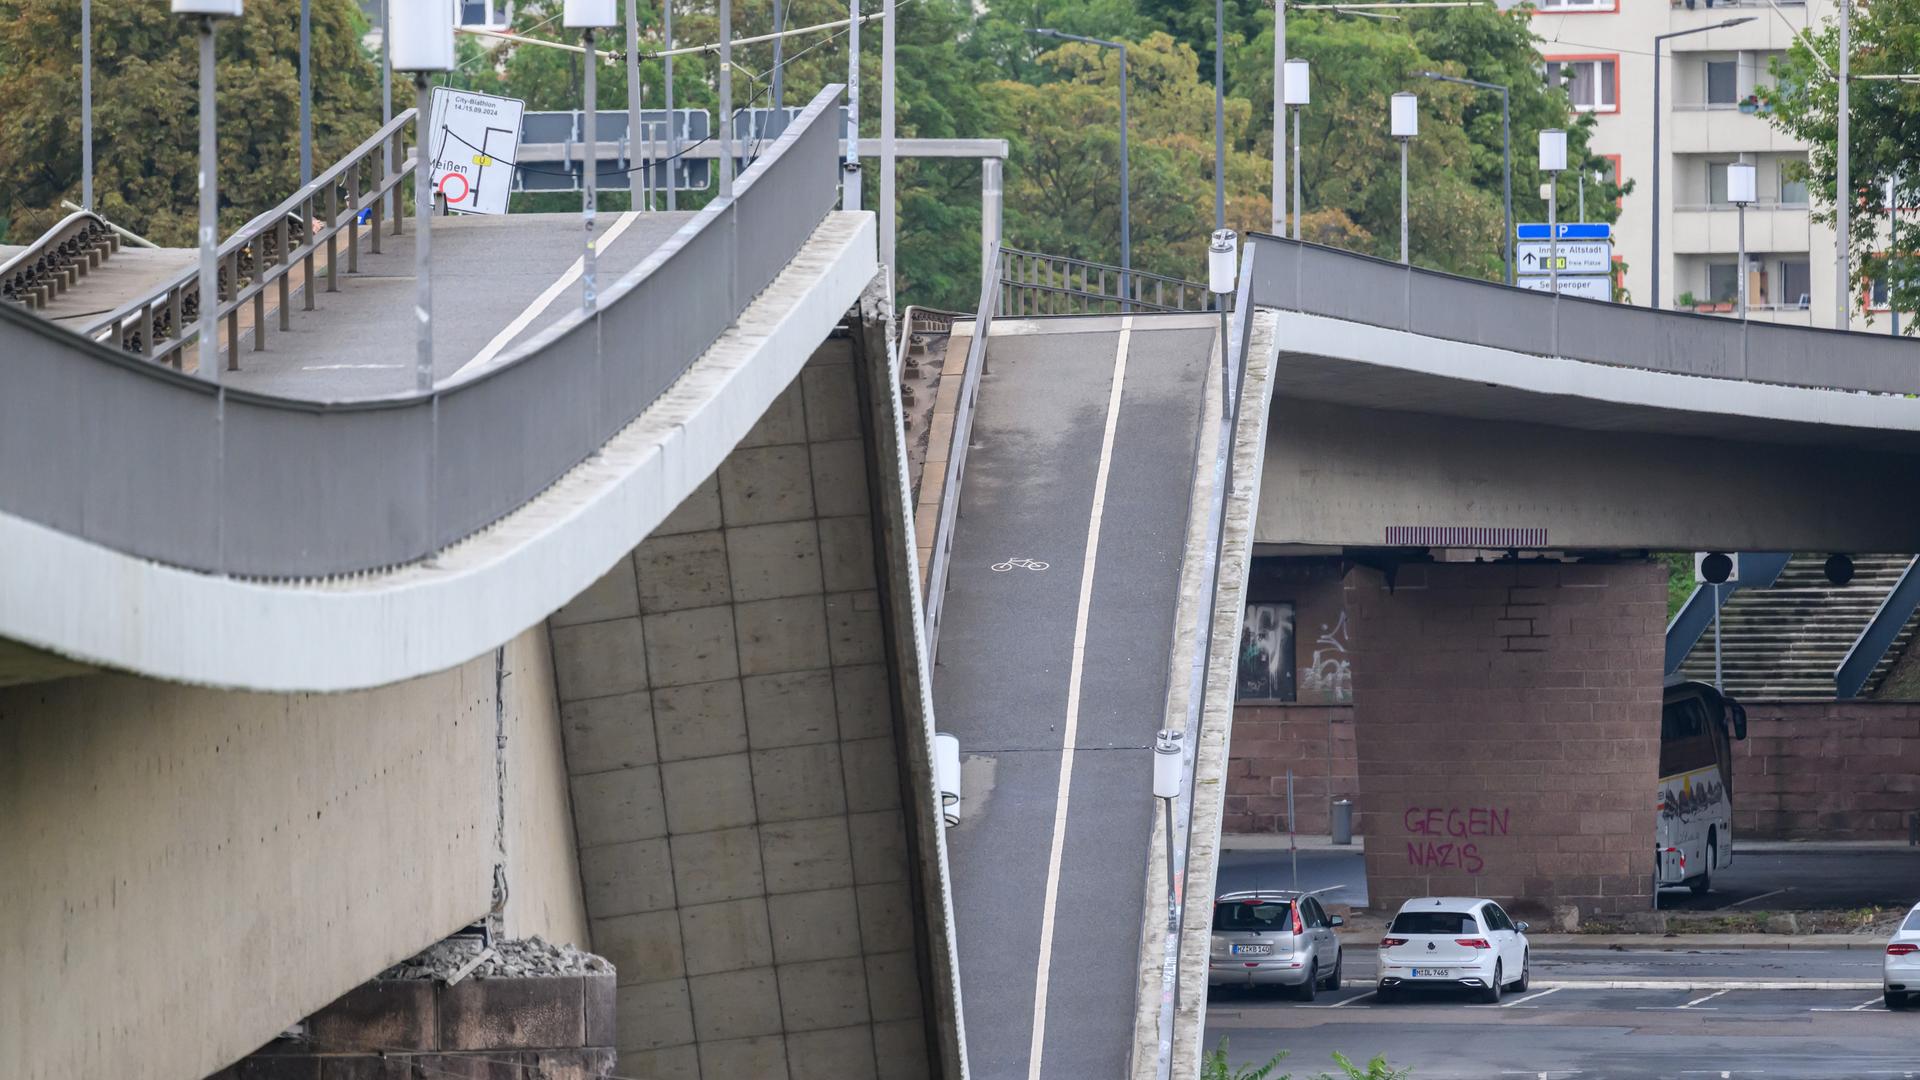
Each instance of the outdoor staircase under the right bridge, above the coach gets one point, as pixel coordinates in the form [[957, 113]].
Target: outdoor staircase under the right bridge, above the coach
[[1785, 643]]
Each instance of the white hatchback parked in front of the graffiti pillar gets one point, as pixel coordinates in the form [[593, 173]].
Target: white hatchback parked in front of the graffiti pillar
[[1454, 941]]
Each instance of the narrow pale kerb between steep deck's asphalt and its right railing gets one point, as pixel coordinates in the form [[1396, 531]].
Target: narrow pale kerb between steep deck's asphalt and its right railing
[[1153, 991]]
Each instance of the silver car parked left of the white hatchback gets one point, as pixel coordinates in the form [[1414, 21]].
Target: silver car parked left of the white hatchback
[[1274, 939]]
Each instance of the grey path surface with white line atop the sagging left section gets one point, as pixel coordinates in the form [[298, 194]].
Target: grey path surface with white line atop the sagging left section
[[360, 343]]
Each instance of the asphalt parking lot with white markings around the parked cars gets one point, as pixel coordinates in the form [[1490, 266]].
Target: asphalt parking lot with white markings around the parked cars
[[1600, 1014]]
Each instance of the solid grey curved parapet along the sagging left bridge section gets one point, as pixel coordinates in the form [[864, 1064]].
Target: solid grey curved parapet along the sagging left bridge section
[[149, 462]]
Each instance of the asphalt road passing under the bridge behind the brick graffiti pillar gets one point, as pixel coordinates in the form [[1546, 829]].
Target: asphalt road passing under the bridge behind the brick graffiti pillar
[[1758, 881]]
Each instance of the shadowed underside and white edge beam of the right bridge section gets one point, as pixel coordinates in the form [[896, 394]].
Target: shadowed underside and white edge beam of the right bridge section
[[1383, 439]]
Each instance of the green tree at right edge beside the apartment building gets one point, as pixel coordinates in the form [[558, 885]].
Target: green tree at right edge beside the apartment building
[[1884, 135]]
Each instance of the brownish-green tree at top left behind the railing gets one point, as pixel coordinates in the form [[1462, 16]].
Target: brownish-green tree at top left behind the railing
[[147, 70]]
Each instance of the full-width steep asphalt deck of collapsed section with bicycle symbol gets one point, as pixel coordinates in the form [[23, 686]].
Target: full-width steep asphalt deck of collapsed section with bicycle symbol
[[1003, 677]]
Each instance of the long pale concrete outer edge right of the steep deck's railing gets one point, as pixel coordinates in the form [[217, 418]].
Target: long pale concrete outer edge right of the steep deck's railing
[[1216, 725]]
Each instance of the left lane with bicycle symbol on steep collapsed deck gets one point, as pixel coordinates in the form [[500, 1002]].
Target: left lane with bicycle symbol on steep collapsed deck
[[1005, 652]]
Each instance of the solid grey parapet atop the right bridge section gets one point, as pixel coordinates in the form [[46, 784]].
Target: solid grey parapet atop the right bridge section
[[1362, 289]]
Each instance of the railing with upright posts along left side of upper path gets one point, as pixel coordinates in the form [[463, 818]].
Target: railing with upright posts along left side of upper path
[[266, 251]]
